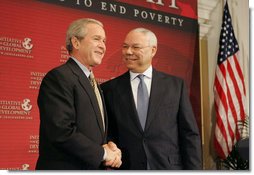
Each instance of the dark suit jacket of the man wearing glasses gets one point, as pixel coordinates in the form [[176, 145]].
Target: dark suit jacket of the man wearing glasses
[[171, 137]]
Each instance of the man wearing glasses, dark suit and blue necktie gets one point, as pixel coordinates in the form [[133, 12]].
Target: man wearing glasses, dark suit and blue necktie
[[151, 118]]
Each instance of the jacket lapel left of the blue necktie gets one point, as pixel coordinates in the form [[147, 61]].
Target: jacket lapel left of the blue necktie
[[126, 96]]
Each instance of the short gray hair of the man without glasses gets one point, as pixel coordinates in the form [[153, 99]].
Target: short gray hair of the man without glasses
[[78, 29]]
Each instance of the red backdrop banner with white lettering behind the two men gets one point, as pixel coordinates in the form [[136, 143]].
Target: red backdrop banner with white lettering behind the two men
[[32, 41]]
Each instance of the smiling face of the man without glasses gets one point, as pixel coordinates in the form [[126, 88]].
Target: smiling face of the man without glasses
[[91, 49]]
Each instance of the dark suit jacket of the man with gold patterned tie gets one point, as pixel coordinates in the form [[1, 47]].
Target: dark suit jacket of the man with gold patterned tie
[[71, 129]]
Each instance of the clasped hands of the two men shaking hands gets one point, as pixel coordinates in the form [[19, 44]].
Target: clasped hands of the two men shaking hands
[[113, 155]]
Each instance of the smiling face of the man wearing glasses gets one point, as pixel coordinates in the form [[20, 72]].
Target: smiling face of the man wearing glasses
[[137, 52]]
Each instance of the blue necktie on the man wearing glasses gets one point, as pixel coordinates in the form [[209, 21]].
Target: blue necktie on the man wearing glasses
[[142, 101]]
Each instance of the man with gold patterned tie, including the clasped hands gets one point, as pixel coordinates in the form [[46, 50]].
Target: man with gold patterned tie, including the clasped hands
[[73, 121]]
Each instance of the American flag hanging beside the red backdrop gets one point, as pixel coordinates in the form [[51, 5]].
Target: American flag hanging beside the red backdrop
[[229, 90]]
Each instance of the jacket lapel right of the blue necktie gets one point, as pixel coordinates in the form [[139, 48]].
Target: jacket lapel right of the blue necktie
[[156, 94]]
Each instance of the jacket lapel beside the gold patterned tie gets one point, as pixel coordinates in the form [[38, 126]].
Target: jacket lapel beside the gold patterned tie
[[85, 83]]
